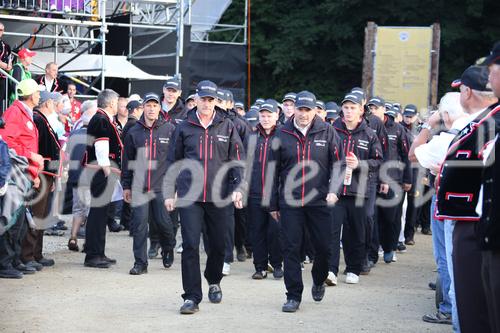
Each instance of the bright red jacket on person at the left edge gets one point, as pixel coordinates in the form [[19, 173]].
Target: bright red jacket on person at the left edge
[[21, 134]]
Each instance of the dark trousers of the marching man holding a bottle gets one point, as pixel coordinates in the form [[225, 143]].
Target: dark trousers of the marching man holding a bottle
[[353, 233]]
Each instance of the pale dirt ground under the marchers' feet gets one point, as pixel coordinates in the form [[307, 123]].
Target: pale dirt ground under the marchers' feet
[[72, 298]]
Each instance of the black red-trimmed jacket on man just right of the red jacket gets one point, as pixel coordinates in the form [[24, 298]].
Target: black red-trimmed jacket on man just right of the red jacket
[[48, 145]]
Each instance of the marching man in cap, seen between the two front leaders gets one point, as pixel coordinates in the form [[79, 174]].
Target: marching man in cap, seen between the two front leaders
[[264, 230]]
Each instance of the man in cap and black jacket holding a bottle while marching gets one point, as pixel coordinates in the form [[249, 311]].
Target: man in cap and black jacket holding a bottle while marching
[[363, 156]]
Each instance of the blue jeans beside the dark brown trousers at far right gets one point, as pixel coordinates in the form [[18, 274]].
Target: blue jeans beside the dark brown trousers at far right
[[438, 242]]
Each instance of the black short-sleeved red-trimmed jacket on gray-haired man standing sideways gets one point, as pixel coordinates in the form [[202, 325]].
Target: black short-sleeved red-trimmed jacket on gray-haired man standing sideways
[[102, 128]]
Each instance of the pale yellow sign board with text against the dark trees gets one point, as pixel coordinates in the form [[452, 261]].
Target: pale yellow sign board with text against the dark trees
[[402, 66]]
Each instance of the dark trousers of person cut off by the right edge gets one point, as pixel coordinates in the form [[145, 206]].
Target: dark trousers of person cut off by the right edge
[[490, 272]]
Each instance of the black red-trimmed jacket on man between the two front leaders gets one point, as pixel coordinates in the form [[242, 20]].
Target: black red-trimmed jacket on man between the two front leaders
[[261, 154]]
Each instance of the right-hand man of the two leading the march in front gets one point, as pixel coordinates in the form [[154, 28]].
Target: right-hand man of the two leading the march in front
[[307, 155]]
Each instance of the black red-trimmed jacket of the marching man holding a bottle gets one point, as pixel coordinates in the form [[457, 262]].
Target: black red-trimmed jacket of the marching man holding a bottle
[[364, 143]]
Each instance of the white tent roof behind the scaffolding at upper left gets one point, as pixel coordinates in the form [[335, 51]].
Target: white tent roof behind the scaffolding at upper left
[[91, 64]]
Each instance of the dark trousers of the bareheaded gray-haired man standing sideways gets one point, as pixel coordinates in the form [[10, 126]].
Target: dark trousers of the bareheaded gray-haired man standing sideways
[[95, 230]]
